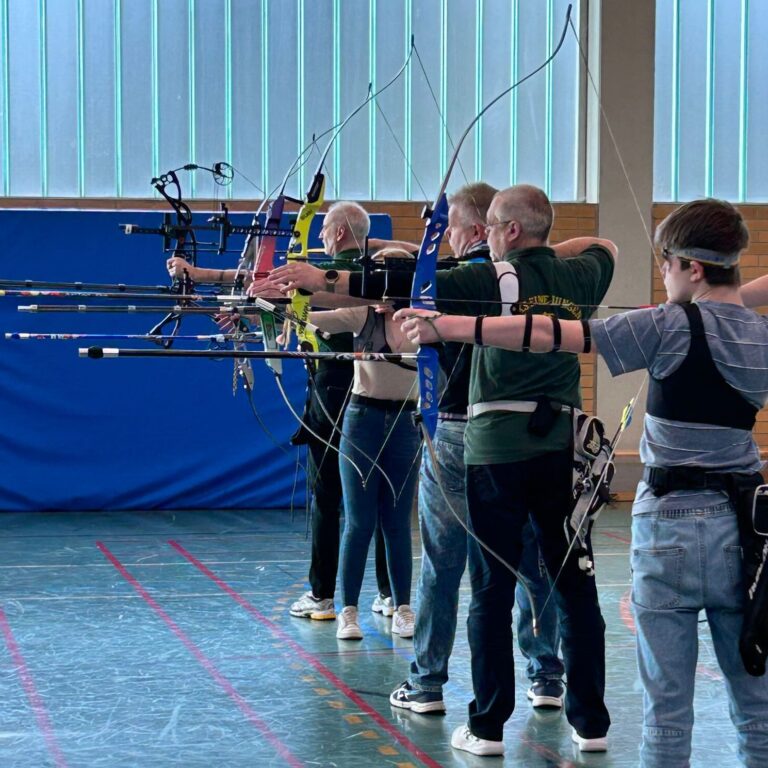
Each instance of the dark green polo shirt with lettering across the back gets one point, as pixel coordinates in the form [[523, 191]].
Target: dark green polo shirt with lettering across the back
[[573, 286]]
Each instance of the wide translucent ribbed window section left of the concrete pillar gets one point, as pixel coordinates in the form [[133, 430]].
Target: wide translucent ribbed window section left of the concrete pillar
[[126, 89]]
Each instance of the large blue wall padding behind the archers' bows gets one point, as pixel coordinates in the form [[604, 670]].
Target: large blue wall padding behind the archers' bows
[[129, 433]]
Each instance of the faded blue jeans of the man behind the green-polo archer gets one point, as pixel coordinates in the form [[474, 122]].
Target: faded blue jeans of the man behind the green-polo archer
[[444, 557]]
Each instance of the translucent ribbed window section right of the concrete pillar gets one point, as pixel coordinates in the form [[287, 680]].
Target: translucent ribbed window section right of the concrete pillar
[[710, 111]]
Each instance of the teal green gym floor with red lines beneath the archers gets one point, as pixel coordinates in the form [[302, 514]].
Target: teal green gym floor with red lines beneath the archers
[[159, 639]]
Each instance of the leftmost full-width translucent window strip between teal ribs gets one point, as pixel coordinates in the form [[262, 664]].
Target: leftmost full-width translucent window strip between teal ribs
[[26, 169]]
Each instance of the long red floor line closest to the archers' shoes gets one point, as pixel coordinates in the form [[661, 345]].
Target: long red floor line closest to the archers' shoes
[[339, 684]]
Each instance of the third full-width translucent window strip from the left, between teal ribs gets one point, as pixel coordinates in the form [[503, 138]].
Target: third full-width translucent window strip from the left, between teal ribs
[[99, 167]]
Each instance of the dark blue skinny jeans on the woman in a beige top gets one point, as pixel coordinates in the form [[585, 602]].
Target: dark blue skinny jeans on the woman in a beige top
[[369, 428]]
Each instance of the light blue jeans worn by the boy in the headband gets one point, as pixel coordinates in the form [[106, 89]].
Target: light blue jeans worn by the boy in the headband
[[685, 561]]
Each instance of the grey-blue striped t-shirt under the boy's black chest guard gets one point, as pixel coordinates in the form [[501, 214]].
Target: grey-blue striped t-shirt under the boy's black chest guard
[[658, 340]]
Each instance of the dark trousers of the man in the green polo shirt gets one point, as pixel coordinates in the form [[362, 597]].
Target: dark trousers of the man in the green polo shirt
[[500, 498]]
